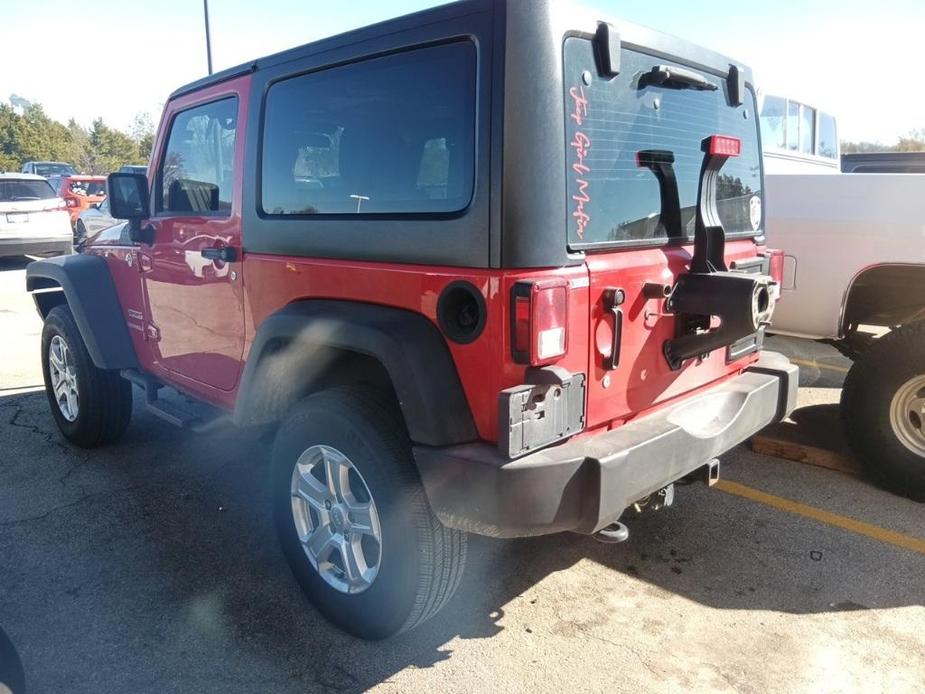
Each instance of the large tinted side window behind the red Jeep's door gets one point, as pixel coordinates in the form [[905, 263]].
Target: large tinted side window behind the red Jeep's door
[[391, 135]]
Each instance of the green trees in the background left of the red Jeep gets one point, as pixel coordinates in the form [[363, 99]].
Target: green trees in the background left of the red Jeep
[[33, 136]]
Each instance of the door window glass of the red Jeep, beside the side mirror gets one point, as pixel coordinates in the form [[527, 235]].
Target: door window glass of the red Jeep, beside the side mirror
[[196, 172]]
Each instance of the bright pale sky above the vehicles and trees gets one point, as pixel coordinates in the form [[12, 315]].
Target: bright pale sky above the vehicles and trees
[[857, 59]]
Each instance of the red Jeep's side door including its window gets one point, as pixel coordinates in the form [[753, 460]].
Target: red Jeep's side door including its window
[[195, 304]]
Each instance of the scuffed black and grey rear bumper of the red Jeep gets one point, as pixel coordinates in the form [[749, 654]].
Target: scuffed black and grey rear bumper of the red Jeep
[[584, 485]]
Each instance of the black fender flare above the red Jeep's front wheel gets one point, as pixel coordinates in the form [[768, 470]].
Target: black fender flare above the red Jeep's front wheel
[[91, 295]]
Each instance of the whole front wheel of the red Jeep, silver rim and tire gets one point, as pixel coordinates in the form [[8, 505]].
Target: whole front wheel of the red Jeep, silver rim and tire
[[91, 406]]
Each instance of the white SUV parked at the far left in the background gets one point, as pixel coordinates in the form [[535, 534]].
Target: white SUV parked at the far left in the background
[[33, 220]]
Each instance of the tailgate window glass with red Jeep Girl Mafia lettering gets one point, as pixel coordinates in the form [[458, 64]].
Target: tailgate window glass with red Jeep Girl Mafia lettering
[[611, 199]]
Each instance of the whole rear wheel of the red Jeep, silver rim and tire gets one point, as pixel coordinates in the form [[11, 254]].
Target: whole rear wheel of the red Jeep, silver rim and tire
[[353, 519]]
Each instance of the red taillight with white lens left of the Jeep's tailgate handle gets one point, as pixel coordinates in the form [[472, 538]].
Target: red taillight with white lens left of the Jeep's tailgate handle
[[539, 321]]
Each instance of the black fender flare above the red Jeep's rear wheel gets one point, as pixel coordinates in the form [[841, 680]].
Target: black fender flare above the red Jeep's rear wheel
[[408, 345]]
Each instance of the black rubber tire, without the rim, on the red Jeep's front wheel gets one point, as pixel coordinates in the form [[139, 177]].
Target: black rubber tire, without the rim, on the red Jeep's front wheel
[[104, 397]]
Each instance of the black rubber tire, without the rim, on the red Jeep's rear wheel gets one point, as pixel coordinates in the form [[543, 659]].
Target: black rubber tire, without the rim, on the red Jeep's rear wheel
[[421, 562]]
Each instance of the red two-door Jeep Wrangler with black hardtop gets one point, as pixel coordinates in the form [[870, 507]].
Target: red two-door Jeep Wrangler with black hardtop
[[494, 268]]
